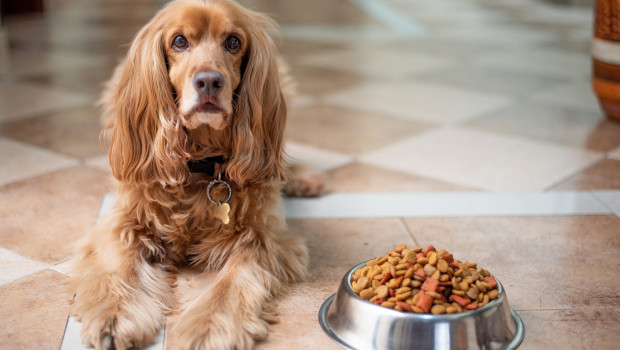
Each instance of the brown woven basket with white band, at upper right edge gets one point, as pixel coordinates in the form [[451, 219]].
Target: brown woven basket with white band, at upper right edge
[[606, 56]]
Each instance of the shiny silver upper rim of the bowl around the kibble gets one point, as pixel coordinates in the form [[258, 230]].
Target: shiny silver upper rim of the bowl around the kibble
[[491, 304]]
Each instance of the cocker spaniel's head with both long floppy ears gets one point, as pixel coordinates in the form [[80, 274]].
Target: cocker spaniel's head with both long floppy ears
[[207, 65]]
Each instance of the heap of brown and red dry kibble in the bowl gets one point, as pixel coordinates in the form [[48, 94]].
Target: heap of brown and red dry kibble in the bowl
[[424, 281]]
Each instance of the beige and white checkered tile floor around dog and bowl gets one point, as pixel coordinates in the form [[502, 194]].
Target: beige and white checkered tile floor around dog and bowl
[[467, 124]]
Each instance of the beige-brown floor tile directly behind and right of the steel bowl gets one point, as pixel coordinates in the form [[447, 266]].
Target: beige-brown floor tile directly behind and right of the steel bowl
[[543, 262]]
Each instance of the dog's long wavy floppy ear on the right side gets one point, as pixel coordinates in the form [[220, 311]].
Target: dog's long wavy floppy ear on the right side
[[260, 116]]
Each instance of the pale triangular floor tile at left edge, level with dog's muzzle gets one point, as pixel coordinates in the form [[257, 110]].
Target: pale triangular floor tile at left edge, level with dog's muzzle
[[19, 100]]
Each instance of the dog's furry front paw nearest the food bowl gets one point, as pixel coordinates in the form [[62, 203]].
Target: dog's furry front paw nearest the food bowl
[[218, 331]]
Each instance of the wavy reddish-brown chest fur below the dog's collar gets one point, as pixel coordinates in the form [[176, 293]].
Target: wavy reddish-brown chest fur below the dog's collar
[[180, 227]]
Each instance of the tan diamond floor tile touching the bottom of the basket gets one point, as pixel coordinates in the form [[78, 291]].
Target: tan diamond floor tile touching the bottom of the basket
[[569, 127]]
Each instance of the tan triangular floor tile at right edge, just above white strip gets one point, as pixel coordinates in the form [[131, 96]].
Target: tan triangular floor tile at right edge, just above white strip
[[604, 175]]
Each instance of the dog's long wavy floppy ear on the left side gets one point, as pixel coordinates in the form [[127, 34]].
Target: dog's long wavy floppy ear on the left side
[[148, 140]]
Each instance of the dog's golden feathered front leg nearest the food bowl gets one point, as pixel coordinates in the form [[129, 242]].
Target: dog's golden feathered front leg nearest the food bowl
[[231, 314]]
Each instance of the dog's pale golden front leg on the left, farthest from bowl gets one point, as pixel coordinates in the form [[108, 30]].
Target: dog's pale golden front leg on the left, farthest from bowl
[[120, 296]]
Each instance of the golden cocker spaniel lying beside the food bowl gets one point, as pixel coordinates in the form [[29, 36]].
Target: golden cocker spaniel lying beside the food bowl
[[198, 111]]
